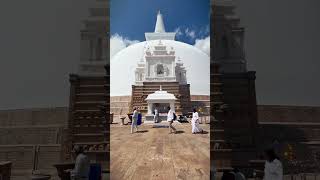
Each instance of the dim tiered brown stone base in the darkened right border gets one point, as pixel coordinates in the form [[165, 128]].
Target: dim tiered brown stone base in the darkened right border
[[232, 132]]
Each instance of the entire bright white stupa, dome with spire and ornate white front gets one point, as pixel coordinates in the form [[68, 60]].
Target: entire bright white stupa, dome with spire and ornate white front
[[160, 58]]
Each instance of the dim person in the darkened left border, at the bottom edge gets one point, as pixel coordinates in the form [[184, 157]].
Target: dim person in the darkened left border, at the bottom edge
[[82, 165]]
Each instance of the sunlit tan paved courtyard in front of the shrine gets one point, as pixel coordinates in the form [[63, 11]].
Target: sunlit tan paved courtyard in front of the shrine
[[153, 153]]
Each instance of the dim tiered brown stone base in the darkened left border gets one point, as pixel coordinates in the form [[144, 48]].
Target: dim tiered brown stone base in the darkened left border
[[88, 120]]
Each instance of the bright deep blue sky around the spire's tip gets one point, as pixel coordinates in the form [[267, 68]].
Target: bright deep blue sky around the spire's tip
[[132, 18]]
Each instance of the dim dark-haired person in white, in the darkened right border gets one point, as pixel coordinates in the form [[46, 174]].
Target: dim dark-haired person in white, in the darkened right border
[[273, 167]]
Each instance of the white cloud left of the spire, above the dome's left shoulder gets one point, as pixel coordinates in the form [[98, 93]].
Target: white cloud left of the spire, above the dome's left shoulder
[[117, 43]]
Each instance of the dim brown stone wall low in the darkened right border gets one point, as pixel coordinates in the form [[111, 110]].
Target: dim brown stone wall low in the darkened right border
[[297, 126]]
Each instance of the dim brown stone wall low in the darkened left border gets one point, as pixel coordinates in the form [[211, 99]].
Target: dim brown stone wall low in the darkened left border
[[30, 134]]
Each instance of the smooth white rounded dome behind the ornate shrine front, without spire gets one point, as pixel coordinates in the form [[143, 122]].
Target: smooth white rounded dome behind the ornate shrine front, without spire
[[124, 63]]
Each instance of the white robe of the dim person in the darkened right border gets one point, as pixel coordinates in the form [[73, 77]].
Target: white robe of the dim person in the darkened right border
[[273, 170]]
